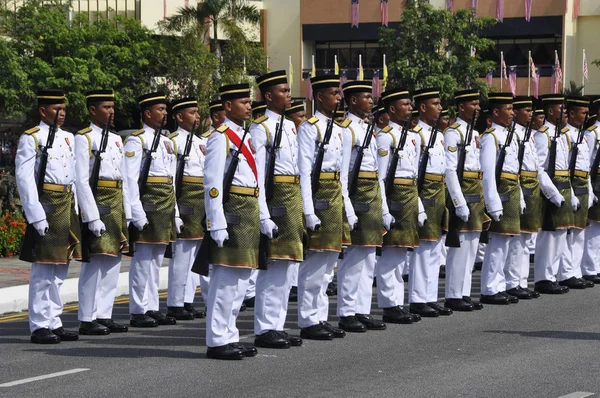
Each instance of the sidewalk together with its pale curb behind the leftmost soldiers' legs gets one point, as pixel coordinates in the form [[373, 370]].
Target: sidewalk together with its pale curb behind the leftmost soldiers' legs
[[14, 282]]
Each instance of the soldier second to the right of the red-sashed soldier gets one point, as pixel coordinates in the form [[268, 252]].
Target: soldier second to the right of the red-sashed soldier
[[322, 209]]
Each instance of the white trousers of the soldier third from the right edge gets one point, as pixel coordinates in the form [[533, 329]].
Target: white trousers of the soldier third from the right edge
[[549, 246]]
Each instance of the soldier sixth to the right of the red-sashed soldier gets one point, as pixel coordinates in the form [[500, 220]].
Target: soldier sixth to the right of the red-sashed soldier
[[467, 199]]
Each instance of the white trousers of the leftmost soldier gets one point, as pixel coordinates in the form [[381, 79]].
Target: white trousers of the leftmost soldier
[[45, 305]]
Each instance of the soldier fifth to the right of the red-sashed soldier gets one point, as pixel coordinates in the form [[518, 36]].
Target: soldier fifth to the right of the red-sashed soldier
[[426, 259]]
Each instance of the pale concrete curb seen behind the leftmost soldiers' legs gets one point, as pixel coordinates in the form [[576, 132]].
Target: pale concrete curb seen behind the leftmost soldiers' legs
[[15, 298]]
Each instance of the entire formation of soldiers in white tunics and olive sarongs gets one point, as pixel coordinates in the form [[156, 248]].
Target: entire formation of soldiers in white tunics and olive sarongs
[[290, 201]]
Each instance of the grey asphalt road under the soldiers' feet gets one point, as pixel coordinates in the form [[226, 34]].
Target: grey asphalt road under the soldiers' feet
[[547, 347]]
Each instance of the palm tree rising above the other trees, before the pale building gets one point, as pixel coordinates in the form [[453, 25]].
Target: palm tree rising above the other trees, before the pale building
[[214, 13]]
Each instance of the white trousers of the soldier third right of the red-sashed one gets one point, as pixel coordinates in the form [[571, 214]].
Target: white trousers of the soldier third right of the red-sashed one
[[351, 273]]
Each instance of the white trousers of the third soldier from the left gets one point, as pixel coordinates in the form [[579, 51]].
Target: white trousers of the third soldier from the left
[[144, 277]]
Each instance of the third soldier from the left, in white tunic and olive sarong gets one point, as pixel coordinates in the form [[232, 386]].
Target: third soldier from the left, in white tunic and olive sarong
[[154, 215]]
